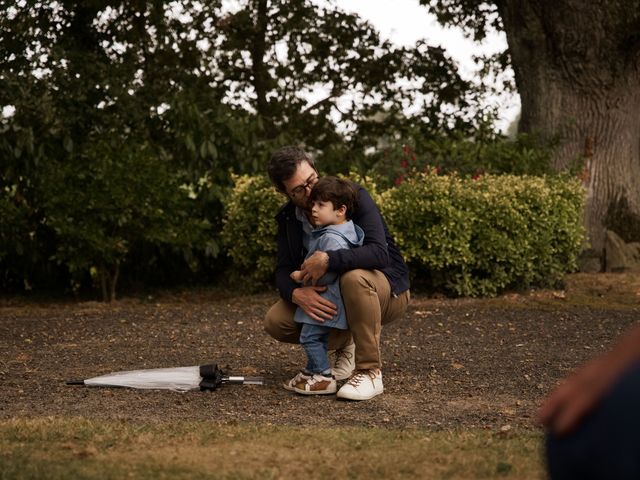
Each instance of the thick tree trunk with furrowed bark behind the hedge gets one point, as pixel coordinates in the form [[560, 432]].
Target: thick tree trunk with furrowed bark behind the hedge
[[577, 67]]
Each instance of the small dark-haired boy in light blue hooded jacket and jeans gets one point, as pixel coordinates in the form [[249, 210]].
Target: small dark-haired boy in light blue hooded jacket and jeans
[[332, 202]]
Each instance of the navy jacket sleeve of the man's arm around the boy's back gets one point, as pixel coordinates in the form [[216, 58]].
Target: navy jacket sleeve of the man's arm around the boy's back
[[373, 254]]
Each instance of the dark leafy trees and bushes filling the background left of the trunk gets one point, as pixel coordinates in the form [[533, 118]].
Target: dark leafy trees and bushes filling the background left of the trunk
[[123, 123]]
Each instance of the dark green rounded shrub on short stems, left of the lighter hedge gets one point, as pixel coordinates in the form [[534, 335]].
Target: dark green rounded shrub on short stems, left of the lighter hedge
[[100, 208]]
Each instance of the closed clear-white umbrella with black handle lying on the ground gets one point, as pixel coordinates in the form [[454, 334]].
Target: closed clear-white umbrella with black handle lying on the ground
[[181, 379]]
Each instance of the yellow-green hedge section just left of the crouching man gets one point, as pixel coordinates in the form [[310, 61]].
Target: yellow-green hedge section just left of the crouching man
[[249, 229]]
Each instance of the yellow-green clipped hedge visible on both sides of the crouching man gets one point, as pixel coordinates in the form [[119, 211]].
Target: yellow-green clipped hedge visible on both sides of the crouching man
[[469, 237]]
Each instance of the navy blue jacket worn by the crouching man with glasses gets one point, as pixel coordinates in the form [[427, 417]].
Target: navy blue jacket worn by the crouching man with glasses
[[378, 251]]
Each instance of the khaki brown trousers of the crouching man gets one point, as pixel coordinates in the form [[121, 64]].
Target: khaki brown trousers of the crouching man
[[368, 304]]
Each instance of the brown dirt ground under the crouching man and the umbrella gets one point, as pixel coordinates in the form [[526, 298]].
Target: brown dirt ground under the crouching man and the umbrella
[[450, 363]]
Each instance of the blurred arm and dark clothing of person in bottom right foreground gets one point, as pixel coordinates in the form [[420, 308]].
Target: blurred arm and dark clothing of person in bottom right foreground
[[593, 417]]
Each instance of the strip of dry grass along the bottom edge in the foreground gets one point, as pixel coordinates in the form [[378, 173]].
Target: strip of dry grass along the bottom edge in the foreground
[[63, 448]]
